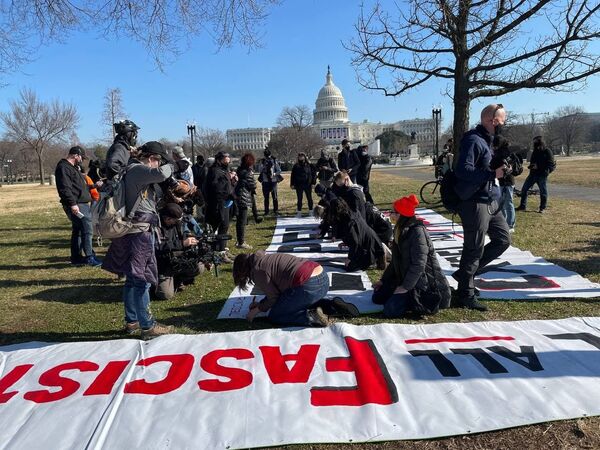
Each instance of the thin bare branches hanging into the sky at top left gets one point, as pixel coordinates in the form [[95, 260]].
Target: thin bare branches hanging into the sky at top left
[[164, 27]]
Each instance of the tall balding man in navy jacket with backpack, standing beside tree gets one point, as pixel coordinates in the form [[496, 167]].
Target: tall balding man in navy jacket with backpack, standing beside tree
[[479, 192]]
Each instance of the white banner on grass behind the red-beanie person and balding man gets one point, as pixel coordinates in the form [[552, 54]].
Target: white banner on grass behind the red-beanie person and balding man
[[517, 274]]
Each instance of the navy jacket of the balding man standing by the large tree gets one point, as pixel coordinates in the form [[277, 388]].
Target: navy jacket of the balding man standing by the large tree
[[474, 178]]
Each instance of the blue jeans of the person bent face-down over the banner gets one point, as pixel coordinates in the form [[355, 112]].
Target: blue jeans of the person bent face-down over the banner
[[292, 306]]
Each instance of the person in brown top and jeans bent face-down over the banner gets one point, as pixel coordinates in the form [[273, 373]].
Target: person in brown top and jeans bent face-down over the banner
[[292, 287]]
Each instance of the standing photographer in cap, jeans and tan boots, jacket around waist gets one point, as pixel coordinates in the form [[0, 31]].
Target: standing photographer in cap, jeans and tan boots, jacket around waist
[[132, 255]]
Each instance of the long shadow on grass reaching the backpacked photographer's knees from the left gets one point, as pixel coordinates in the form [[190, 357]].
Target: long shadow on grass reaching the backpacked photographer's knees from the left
[[76, 295]]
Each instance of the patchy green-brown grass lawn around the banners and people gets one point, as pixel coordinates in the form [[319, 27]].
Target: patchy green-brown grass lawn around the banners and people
[[43, 298]]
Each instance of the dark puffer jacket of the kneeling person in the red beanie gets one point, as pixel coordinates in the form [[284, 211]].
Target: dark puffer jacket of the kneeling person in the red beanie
[[415, 267]]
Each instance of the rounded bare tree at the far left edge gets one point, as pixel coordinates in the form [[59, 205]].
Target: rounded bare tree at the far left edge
[[37, 124]]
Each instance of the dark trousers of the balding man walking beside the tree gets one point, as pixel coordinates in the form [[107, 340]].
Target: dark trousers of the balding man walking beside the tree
[[477, 222]]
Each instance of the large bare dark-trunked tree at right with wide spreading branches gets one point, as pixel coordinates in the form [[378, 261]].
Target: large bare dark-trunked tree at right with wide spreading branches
[[480, 48]]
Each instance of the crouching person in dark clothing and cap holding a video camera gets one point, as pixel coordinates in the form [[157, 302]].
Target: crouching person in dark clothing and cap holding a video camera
[[176, 267]]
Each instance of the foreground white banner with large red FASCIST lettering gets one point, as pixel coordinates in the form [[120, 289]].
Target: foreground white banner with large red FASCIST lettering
[[340, 384]]
